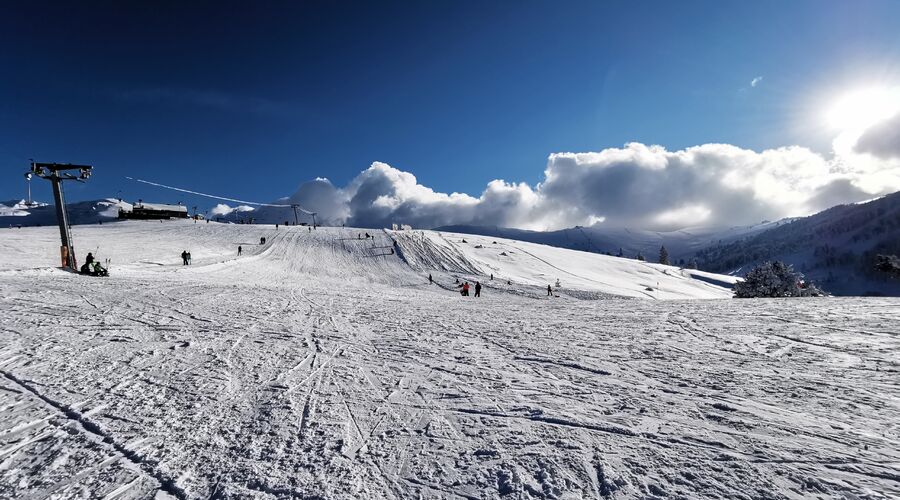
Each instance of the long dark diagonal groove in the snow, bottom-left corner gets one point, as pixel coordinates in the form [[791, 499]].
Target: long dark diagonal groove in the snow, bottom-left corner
[[94, 431]]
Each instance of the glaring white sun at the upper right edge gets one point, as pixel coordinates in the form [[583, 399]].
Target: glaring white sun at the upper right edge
[[862, 108]]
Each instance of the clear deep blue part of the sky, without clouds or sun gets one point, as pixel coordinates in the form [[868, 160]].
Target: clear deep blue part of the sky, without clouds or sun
[[250, 100]]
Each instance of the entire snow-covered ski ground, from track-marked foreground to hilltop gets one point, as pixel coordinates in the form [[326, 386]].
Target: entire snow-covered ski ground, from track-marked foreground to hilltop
[[320, 365]]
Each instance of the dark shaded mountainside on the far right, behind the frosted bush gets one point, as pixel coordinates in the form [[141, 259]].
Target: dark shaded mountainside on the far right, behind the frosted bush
[[835, 248]]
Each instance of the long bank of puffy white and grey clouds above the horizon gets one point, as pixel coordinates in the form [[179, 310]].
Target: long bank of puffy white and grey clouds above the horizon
[[640, 186]]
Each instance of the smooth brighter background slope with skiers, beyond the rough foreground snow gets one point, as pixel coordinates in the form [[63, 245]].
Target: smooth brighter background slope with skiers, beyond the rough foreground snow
[[339, 253]]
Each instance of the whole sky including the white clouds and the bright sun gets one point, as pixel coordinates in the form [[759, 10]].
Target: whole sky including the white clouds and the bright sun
[[534, 114]]
